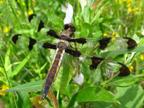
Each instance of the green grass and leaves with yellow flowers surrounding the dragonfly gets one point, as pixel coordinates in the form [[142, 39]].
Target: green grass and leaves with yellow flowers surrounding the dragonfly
[[22, 72]]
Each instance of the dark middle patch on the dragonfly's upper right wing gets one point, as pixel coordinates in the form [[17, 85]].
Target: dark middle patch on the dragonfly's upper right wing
[[104, 42]]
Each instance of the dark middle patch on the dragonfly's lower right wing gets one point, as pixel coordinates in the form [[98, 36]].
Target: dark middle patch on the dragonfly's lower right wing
[[95, 62]]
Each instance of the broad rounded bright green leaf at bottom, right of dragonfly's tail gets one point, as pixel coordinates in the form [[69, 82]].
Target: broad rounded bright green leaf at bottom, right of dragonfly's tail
[[93, 94]]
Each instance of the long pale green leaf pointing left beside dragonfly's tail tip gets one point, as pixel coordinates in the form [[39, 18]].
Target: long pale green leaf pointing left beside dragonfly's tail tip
[[28, 87]]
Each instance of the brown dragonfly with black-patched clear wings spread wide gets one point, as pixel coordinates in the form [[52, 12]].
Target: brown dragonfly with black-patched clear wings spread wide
[[63, 46]]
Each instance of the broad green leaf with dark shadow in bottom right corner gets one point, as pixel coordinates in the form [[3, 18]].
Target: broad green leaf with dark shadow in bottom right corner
[[130, 97]]
